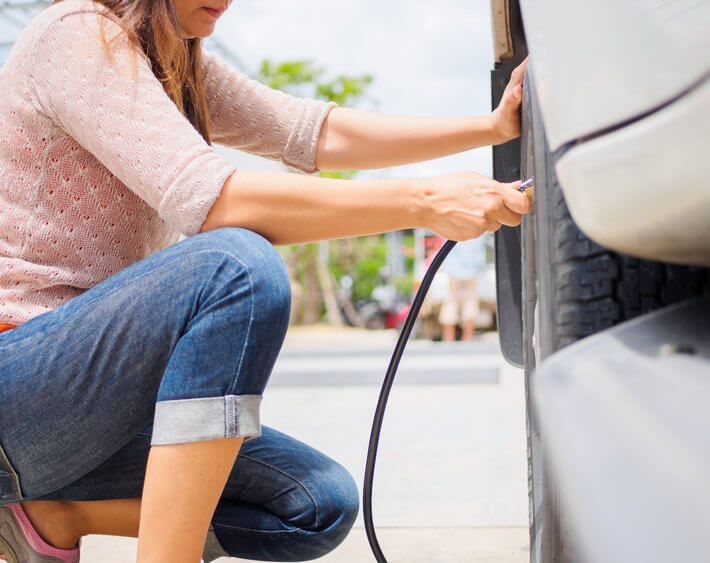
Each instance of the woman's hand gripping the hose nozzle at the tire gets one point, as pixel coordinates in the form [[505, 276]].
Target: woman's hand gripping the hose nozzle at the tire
[[464, 205]]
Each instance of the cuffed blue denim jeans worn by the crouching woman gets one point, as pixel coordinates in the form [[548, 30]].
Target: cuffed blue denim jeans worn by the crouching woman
[[177, 347]]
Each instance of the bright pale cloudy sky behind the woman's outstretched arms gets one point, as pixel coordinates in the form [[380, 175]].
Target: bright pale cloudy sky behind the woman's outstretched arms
[[427, 58]]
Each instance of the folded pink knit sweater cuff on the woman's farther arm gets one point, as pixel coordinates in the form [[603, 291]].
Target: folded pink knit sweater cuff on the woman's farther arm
[[300, 149]]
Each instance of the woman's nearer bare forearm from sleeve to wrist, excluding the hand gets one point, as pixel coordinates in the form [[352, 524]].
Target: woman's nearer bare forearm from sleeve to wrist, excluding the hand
[[295, 208]]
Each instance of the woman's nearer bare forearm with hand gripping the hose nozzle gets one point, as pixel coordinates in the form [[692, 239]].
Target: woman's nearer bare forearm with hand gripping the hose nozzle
[[293, 208]]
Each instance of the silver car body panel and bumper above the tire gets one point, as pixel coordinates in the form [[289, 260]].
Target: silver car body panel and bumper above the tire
[[624, 89]]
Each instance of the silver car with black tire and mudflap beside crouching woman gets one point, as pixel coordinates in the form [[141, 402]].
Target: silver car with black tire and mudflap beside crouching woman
[[602, 291]]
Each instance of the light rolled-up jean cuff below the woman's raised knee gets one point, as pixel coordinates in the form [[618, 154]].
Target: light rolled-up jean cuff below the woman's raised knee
[[206, 418]]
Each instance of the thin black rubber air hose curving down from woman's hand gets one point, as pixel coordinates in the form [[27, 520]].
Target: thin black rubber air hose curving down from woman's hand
[[384, 394]]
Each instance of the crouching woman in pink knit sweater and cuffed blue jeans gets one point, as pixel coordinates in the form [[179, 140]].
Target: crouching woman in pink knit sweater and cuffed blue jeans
[[134, 364]]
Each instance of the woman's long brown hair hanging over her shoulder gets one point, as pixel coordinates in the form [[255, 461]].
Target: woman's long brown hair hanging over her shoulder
[[175, 61]]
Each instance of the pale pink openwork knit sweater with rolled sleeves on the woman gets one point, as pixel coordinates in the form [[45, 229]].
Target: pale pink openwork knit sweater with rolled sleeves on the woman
[[99, 169]]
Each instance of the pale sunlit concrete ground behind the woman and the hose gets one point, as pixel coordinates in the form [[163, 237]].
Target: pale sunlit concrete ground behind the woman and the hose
[[450, 484]]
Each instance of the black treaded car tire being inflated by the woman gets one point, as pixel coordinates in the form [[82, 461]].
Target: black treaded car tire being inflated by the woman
[[572, 288]]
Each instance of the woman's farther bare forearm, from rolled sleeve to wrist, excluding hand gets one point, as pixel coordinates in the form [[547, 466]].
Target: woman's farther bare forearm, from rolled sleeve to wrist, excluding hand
[[356, 139]]
